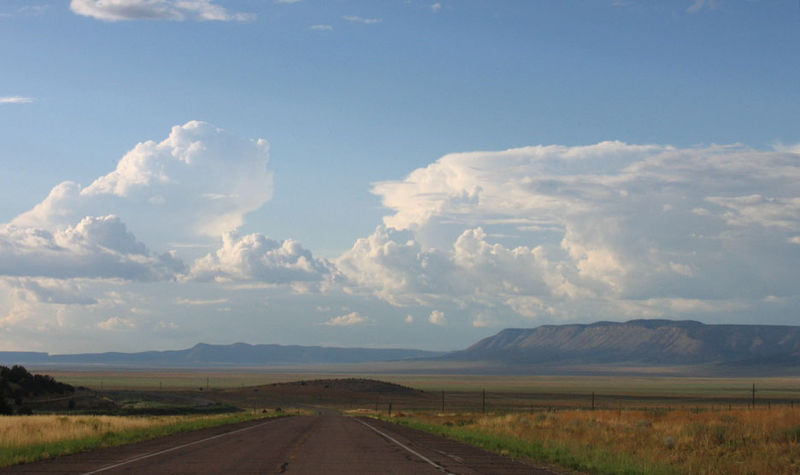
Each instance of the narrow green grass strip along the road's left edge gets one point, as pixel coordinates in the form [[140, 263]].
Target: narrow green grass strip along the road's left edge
[[35, 452]]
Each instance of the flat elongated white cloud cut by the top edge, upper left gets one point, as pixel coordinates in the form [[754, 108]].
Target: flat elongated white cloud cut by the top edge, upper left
[[175, 10]]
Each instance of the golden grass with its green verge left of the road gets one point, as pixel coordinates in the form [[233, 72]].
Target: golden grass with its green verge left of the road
[[30, 438]]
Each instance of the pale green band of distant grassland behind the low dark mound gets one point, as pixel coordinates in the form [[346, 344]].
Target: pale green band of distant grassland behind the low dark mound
[[785, 388]]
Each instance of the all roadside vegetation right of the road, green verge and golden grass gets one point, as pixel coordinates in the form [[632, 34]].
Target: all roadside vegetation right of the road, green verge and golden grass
[[737, 441]]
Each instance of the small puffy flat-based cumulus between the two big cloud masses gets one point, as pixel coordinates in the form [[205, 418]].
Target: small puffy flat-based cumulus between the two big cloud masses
[[255, 257]]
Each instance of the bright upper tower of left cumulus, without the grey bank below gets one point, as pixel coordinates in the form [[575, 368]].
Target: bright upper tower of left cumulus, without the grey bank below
[[199, 181]]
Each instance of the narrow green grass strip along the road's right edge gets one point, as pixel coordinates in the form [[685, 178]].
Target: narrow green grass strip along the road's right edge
[[593, 461]]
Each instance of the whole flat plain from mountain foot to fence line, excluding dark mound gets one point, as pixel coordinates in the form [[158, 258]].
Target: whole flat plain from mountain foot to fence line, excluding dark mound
[[463, 391]]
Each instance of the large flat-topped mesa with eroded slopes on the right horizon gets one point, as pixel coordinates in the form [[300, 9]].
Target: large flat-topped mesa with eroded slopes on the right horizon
[[662, 342]]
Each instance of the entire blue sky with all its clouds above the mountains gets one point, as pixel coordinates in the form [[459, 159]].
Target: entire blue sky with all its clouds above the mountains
[[398, 173]]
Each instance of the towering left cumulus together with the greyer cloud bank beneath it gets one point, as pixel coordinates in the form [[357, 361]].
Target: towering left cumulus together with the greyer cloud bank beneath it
[[195, 185]]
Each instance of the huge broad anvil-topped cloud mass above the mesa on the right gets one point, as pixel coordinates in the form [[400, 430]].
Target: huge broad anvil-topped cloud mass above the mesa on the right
[[556, 230]]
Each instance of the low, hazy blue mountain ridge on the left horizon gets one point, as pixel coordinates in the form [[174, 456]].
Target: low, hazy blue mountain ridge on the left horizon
[[237, 354]]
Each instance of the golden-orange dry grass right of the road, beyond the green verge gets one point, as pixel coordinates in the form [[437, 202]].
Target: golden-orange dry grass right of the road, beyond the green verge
[[739, 441]]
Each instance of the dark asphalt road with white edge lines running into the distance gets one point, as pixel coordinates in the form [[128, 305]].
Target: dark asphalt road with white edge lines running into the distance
[[324, 444]]
